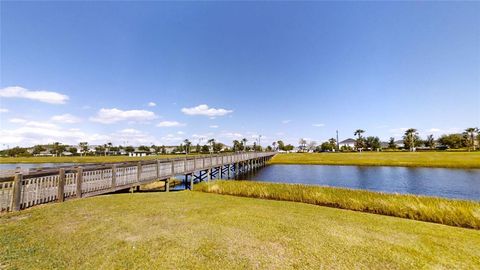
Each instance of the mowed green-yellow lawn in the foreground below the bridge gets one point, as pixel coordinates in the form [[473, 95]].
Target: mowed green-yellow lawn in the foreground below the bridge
[[195, 230]]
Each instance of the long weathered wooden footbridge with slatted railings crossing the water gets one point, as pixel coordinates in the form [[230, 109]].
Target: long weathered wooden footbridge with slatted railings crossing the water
[[59, 184]]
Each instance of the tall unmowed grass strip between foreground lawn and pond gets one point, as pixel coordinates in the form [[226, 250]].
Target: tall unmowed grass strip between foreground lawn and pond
[[444, 211]]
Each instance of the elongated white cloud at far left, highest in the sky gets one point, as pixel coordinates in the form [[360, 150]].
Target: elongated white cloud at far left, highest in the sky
[[42, 96]]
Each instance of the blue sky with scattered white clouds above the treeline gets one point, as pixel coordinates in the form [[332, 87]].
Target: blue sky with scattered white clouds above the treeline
[[78, 71]]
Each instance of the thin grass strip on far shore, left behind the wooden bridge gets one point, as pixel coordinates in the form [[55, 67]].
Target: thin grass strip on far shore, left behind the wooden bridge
[[81, 159]]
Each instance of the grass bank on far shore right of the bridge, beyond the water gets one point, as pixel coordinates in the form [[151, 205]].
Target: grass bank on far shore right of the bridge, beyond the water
[[407, 159]]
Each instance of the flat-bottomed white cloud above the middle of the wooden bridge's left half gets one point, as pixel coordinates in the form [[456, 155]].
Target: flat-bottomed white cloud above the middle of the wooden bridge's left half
[[108, 116]]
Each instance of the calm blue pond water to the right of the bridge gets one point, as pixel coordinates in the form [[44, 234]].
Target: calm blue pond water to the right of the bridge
[[450, 183]]
